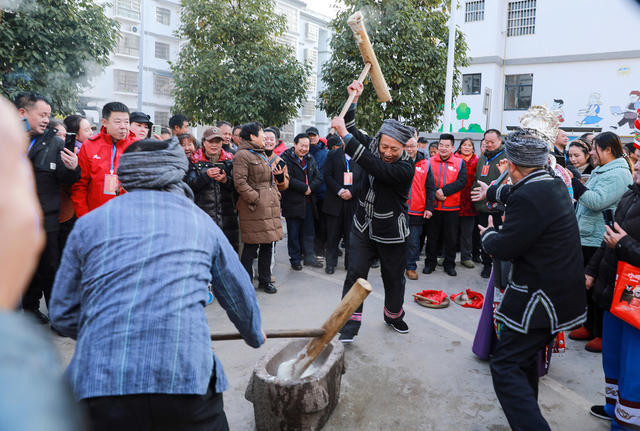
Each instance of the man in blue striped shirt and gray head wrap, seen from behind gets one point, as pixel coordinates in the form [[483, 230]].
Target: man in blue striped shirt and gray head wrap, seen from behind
[[134, 296]]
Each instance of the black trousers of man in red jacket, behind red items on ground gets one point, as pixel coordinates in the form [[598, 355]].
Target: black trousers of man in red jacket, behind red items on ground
[[442, 225]]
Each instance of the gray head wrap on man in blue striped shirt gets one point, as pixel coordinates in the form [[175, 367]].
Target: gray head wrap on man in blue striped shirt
[[155, 165]]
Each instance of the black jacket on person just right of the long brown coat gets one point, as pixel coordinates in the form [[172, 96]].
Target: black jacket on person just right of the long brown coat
[[293, 198]]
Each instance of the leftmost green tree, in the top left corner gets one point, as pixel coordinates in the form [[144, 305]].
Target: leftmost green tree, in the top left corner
[[54, 47]]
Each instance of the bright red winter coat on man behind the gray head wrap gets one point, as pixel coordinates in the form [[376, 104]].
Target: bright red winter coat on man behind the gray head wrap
[[94, 159]]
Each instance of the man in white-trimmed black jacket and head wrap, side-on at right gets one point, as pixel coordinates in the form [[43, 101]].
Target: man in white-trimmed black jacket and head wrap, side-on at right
[[545, 291]]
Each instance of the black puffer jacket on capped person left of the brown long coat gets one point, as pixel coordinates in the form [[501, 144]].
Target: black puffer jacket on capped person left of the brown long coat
[[216, 199]]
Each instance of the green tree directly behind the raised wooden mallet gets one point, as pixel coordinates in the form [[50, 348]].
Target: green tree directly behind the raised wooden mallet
[[409, 38]]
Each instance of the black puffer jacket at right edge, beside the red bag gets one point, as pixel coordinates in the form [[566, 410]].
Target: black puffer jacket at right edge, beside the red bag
[[604, 263]]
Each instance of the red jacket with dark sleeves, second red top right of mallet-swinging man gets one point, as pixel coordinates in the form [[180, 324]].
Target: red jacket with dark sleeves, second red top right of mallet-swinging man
[[451, 177]]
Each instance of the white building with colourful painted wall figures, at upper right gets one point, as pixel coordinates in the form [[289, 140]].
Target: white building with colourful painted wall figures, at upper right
[[578, 57]]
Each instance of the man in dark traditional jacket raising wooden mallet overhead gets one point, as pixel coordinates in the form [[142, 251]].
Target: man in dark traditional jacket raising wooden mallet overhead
[[380, 225]]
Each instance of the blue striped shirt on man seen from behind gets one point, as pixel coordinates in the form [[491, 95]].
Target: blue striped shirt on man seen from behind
[[132, 287]]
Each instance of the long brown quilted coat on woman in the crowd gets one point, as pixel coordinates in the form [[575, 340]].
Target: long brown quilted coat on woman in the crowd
[[259, 202]]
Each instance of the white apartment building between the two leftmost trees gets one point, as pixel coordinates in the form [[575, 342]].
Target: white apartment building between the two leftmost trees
[[146, 44]]
